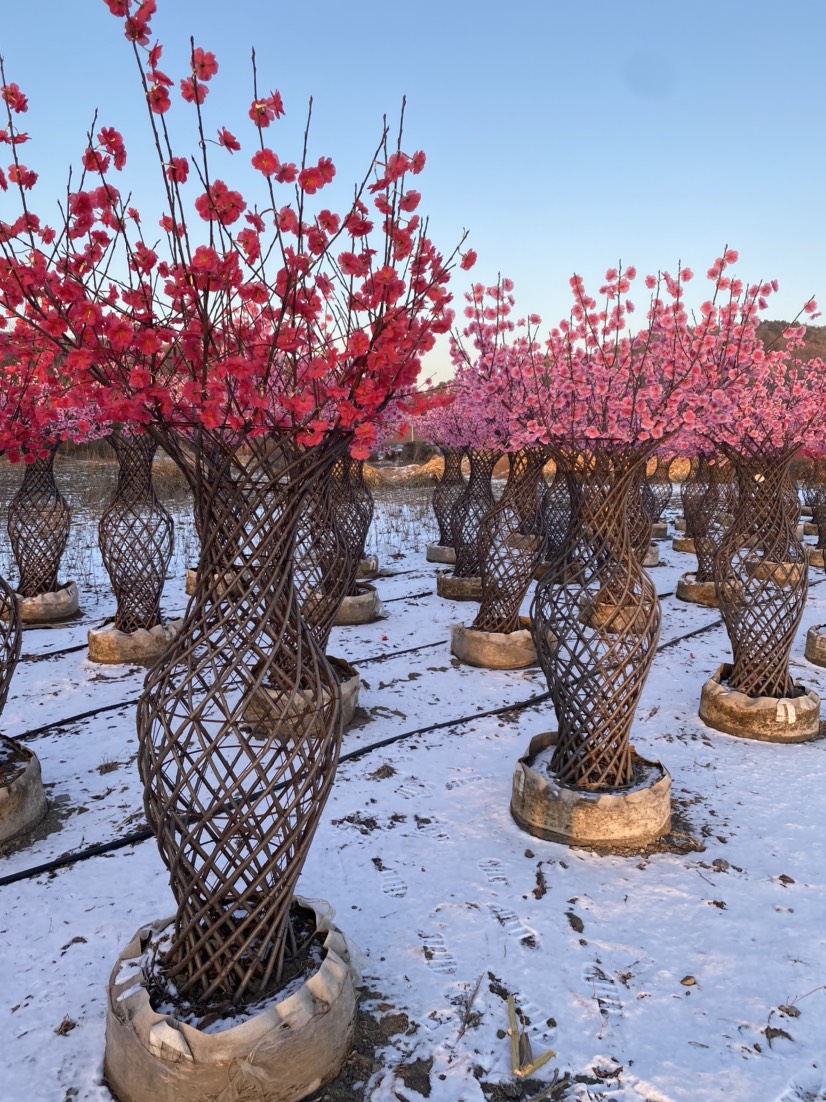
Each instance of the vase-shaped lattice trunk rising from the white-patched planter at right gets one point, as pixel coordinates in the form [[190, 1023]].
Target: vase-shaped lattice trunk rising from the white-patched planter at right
[[762, 577]]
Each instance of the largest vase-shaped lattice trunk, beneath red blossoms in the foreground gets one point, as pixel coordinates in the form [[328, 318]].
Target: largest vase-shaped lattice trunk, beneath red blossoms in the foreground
[[240, 725]]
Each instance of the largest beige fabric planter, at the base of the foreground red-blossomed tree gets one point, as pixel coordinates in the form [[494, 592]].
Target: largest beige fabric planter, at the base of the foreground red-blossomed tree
[[282, 1054]]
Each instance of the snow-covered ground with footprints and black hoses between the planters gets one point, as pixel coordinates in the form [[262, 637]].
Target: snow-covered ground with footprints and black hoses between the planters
[[693, 974]]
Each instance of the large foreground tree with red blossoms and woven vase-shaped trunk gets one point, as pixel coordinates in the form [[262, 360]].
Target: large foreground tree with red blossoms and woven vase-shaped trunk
[[257, 343]]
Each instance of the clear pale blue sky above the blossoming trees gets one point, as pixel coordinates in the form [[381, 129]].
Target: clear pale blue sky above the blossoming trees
[[563, 136]]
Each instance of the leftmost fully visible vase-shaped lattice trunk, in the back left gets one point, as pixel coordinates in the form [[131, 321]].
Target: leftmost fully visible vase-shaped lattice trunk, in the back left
[[39, 527]]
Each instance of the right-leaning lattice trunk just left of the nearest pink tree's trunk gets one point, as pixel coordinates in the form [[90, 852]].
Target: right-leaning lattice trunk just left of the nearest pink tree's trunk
[[512, 545]]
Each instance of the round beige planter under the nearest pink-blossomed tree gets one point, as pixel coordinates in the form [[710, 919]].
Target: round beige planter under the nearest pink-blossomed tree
[[634, 817]]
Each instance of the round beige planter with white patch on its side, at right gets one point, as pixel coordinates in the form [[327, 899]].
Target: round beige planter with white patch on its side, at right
[[766, 719]]
